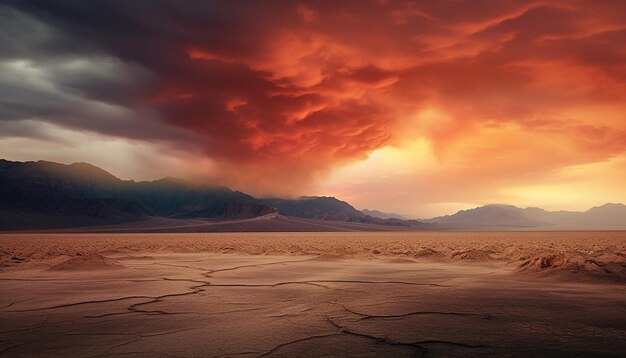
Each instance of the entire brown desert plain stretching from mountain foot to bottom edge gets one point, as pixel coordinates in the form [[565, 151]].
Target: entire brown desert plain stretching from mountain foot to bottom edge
[[395, 294]]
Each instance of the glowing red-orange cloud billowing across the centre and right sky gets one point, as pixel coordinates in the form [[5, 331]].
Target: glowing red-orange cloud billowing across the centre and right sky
[[293, 89]]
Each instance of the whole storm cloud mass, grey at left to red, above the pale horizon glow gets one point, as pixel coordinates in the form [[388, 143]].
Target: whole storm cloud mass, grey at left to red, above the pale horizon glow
[[294, 88]]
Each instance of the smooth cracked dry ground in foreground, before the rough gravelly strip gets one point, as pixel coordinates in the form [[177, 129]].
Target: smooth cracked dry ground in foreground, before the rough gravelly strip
[[212, 304]]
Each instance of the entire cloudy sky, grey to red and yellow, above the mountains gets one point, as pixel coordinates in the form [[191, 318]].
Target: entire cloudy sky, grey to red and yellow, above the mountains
[[415, 107]]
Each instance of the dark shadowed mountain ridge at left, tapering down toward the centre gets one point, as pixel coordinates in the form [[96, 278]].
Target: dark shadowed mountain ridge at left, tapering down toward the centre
[[44, 194]]
